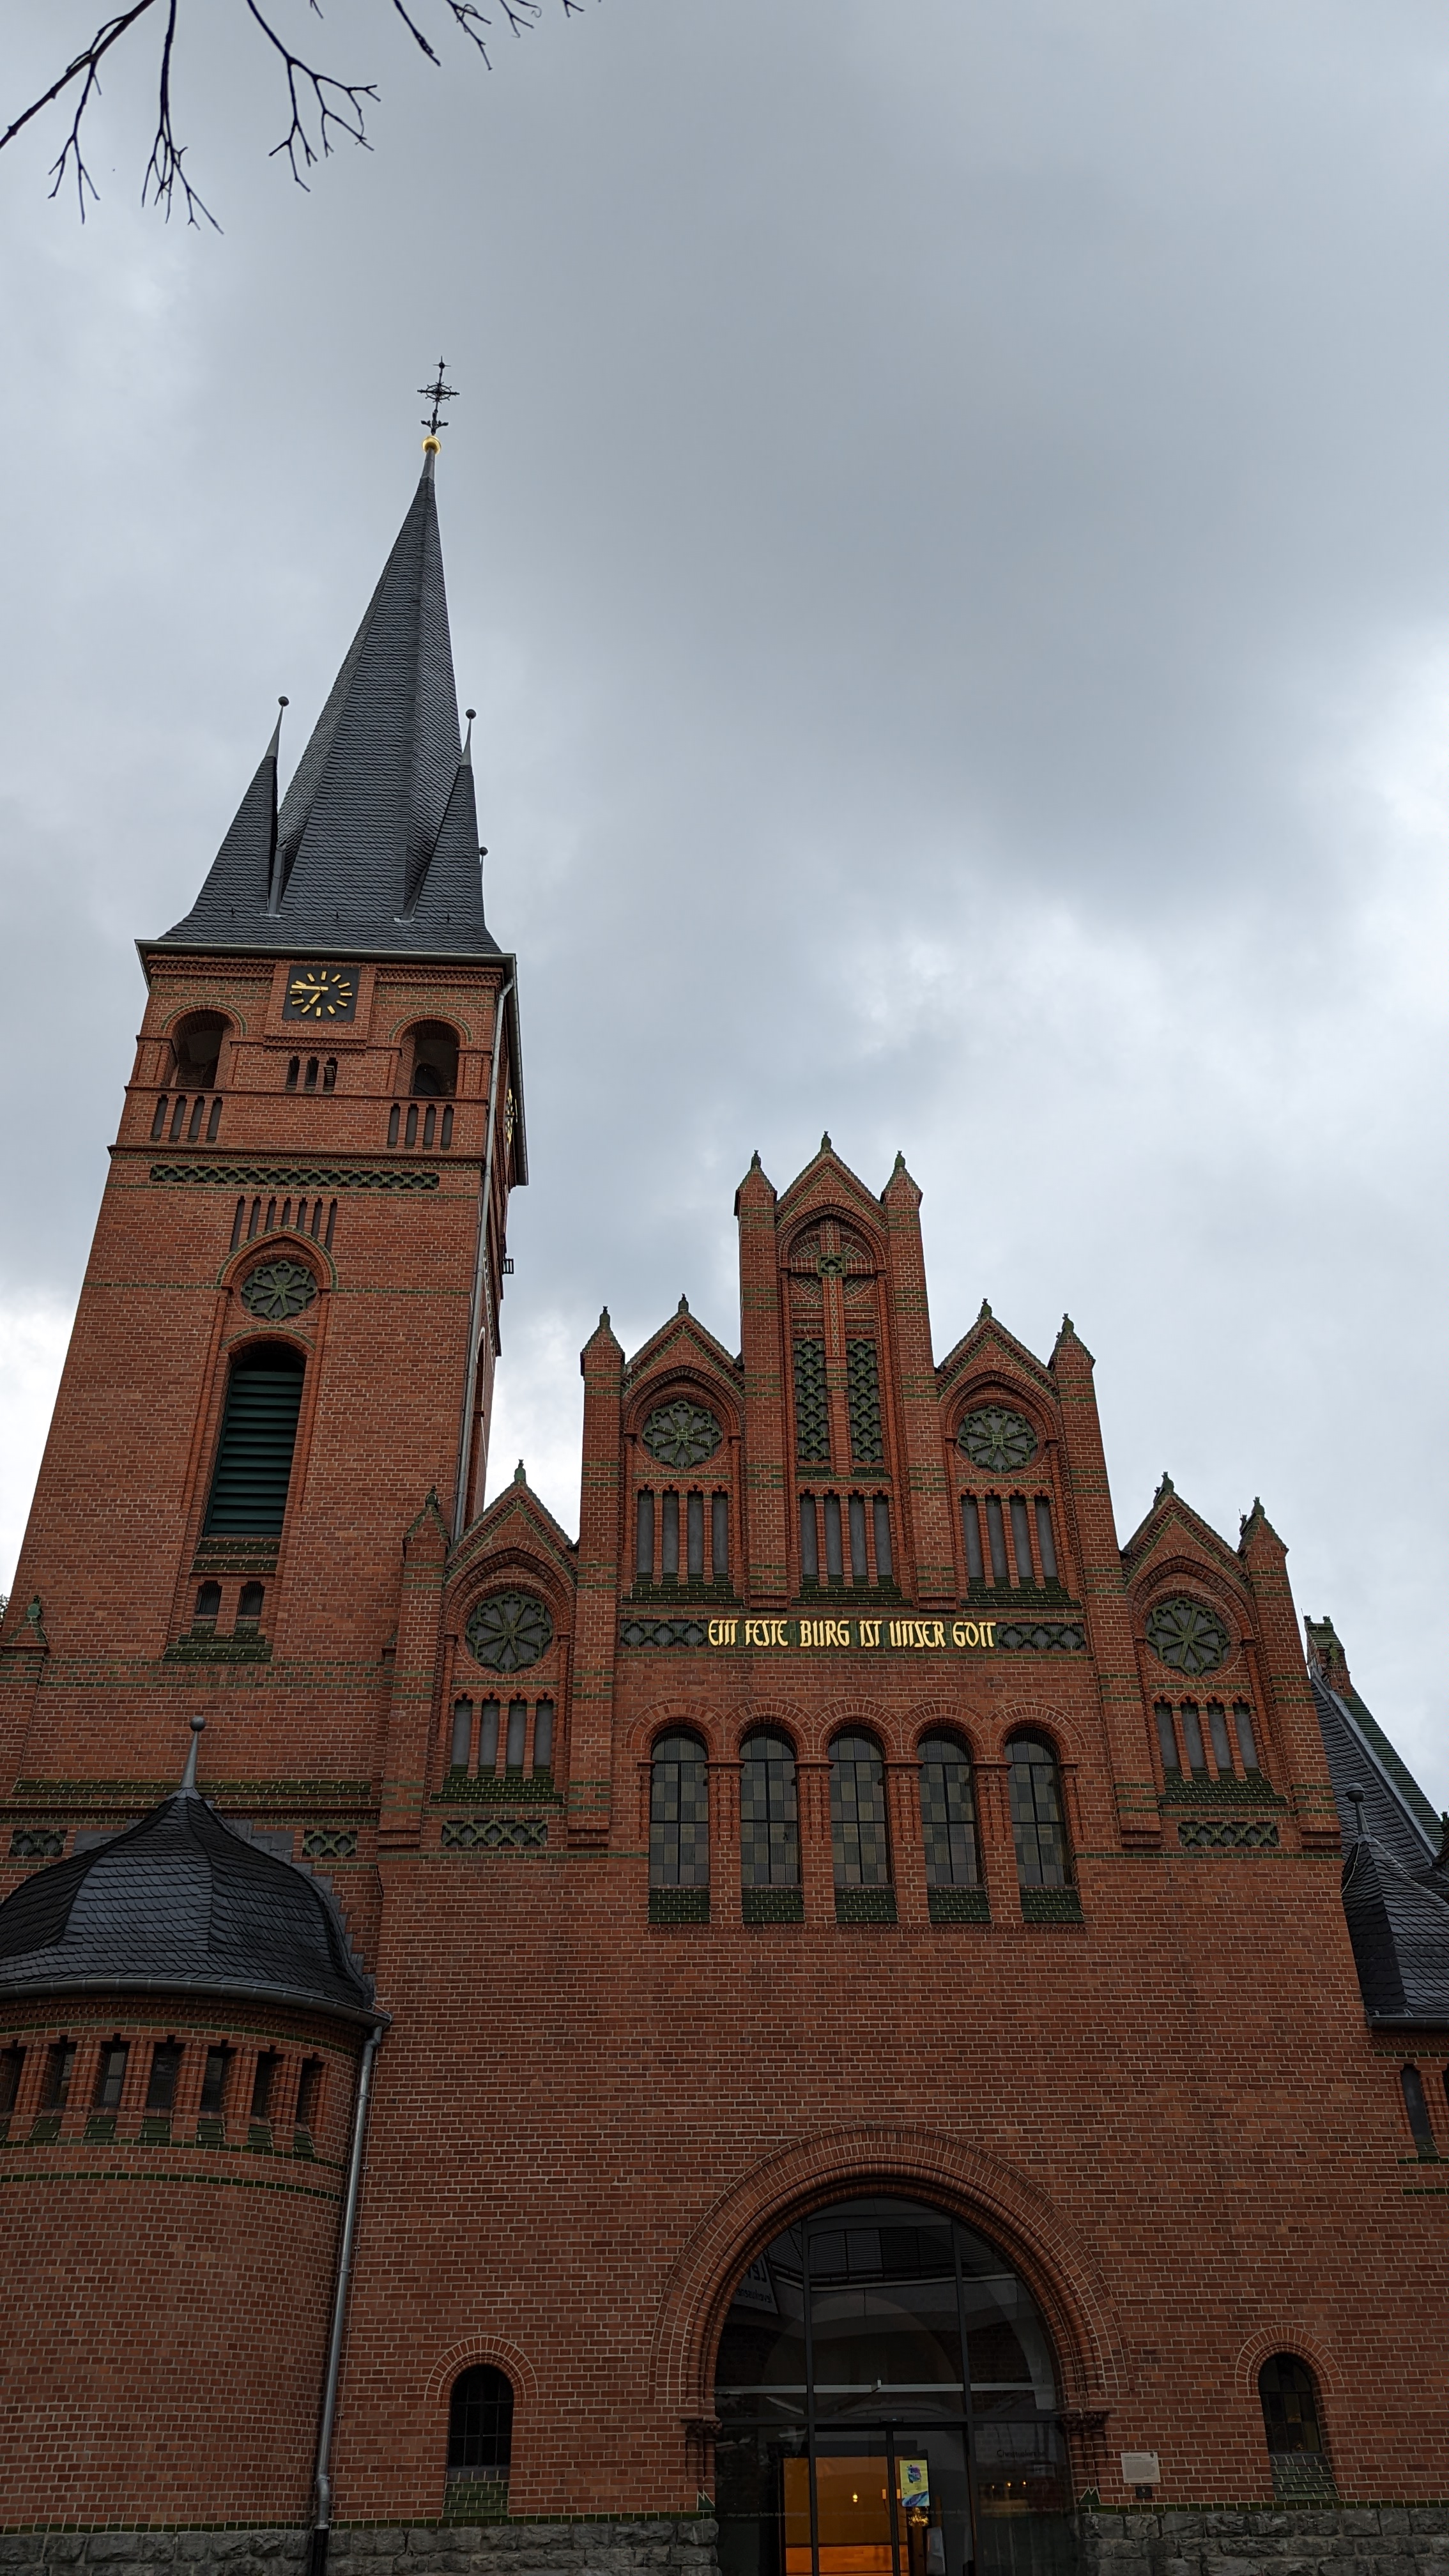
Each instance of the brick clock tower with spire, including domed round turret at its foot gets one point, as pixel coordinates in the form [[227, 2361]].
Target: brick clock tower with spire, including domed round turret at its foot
[[282, 1364]]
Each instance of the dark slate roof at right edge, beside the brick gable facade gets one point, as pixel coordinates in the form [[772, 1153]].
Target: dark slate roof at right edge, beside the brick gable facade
[[1394, 1897]]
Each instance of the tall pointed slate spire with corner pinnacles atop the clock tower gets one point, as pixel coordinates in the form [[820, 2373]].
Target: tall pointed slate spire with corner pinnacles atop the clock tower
[[375, 846]]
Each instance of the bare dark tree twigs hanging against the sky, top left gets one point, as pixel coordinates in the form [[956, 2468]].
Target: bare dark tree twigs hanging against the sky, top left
[[324, 109]]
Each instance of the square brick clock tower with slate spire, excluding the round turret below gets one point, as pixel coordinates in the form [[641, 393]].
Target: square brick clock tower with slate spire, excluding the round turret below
[[290, 1318]]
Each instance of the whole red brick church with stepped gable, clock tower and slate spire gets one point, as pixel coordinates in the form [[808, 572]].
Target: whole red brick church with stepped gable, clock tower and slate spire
[[839, 2023]]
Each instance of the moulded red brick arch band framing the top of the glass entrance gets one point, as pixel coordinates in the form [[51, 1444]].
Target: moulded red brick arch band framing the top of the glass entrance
[[981, 2188]]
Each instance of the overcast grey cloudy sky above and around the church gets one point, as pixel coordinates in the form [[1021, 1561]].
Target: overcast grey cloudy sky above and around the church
[[948, 537]]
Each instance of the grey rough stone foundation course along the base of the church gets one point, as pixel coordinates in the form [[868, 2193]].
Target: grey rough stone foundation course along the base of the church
[[1257, 2541]]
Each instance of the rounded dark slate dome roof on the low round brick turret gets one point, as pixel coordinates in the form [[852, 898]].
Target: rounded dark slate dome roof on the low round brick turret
[[182, 1905]]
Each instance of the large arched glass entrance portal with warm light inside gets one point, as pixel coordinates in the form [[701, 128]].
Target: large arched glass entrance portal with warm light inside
[[852, 2441]]
